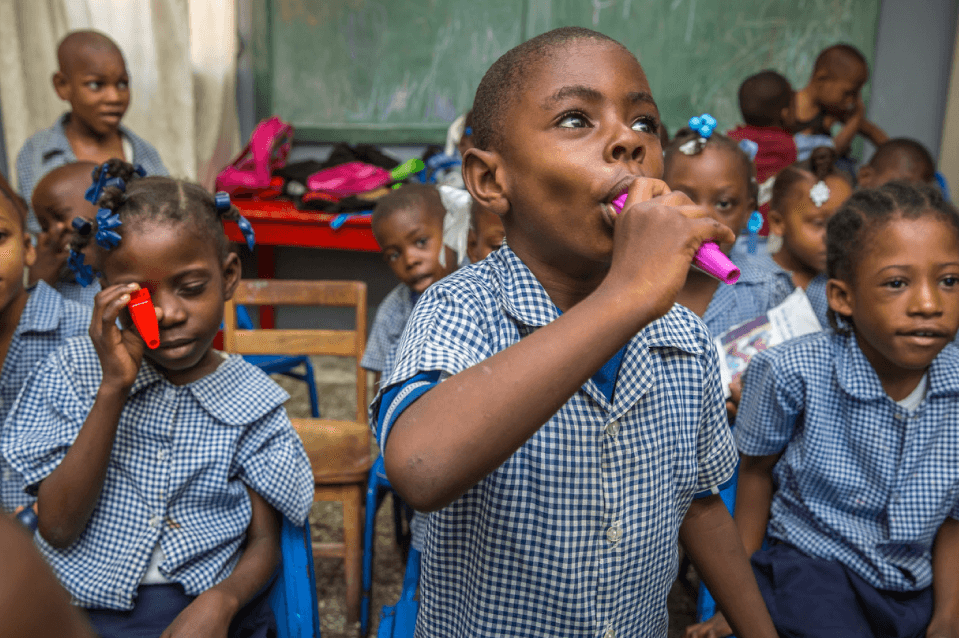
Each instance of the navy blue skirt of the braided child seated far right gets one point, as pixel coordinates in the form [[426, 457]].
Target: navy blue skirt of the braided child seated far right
[[812, 597]]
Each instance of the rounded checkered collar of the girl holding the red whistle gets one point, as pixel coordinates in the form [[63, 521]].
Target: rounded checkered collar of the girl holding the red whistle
[[219, 393]]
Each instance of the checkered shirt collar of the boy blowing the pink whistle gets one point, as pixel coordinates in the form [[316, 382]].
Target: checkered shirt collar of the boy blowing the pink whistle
[[523, 298]]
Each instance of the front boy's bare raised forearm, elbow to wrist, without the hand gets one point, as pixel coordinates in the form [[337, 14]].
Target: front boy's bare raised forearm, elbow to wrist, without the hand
[[468, 425]]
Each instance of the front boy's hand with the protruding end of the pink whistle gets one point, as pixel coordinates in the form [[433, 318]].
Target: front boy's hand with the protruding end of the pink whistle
[[658, 234]]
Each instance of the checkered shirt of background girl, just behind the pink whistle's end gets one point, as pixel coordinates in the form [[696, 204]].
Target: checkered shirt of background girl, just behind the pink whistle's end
[[758, 290]]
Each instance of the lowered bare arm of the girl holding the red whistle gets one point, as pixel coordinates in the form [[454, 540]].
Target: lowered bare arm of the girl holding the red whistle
[[211, 613]]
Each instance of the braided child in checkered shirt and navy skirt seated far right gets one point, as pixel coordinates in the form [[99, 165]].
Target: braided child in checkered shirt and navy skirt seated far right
[[850, 440]]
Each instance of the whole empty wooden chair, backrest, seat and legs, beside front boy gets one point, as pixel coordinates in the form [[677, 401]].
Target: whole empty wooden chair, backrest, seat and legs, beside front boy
[[339, 450]]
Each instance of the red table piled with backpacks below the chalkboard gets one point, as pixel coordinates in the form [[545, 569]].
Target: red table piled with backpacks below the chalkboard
[[279, 223]]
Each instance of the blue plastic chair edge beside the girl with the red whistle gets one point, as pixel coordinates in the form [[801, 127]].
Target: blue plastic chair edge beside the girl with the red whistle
[[293, 597]]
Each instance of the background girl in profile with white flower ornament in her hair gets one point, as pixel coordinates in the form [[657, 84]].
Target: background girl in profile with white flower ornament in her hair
[[801, 205]]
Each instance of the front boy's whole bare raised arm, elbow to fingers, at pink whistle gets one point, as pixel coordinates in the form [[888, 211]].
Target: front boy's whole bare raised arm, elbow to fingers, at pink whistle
[[468, 425]]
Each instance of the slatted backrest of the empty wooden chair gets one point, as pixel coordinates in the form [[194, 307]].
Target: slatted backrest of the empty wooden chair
[[293, 292]]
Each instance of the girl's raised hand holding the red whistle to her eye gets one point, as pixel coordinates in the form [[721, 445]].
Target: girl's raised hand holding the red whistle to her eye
[[120, 351]]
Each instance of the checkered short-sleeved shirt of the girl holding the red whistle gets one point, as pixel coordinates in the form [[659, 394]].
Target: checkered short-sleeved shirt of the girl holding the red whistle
[[181, 460]]
